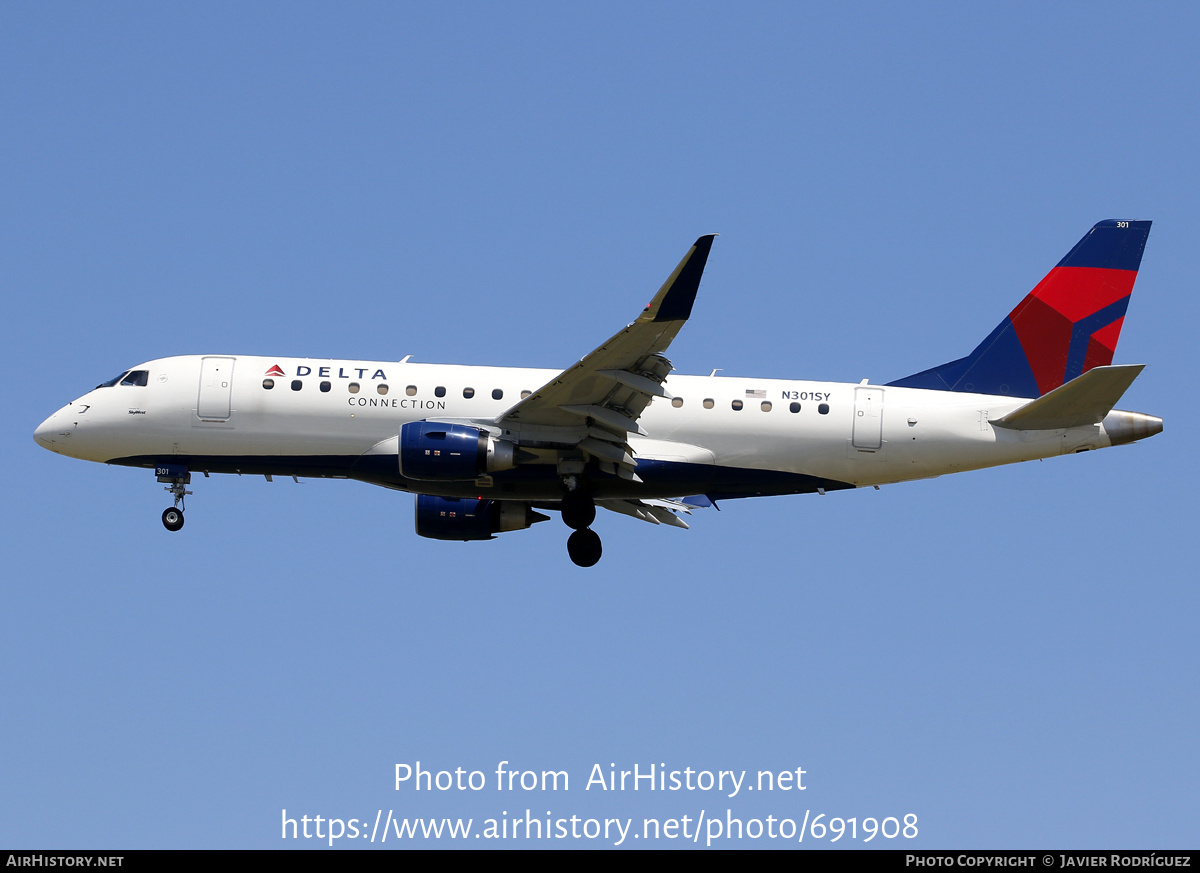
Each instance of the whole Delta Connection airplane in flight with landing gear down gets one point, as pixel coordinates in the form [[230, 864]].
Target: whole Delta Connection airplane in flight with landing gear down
[[487, 450]]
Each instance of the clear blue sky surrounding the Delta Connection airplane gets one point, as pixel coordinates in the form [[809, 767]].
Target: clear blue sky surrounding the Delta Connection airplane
[[1009, 655]]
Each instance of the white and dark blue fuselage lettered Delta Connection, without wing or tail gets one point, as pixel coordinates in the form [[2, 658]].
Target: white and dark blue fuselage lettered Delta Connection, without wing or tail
[[730, 437]]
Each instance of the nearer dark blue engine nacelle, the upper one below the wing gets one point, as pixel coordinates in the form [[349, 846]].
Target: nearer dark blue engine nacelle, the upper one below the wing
[[448, 453]]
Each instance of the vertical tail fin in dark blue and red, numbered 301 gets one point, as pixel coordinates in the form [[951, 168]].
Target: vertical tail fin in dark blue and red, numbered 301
[[1064, 328]]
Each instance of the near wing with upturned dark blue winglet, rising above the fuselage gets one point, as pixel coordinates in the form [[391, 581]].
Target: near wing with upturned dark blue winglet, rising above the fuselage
[[608, 390]]
